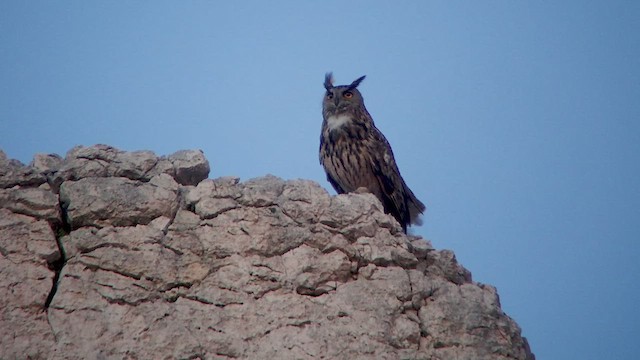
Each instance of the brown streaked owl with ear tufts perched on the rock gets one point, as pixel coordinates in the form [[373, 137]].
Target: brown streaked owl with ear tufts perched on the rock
[[355, 154]]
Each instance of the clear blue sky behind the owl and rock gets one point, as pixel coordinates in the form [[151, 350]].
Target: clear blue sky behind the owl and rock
[[515, 122]]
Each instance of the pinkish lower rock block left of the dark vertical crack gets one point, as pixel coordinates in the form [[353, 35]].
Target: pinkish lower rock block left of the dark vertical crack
[[27, 247]]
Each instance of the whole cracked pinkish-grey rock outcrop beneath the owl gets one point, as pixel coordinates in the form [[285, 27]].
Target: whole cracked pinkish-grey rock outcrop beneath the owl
[[108, 254]]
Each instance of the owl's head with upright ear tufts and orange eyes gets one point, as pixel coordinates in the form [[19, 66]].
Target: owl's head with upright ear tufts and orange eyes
[[343, 98]]
